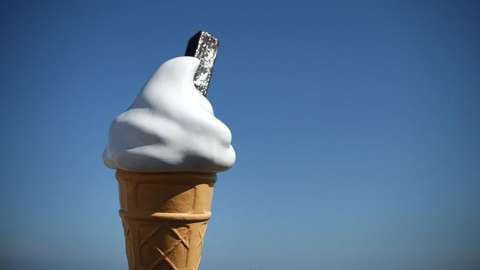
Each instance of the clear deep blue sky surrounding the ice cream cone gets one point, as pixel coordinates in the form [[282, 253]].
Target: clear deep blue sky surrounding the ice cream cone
[[356, 128]]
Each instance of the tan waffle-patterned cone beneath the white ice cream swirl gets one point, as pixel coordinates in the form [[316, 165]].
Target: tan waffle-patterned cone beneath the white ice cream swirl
[[164, 217]]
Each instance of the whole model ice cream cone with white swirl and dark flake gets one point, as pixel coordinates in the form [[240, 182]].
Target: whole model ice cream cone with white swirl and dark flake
[[167, 148]]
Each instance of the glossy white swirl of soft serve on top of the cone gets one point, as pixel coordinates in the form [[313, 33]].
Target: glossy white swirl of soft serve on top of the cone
[[170, 127]]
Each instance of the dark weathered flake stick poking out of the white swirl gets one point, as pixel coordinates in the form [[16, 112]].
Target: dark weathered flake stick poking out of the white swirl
[[203, 46]]
